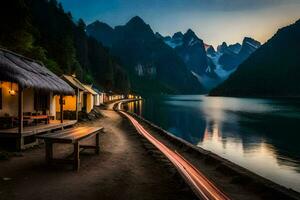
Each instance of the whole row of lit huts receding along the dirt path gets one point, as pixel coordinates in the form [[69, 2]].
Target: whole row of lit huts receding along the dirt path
[[30, 92]]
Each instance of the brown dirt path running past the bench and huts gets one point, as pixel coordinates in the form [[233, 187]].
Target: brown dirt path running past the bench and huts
[[124, 170]]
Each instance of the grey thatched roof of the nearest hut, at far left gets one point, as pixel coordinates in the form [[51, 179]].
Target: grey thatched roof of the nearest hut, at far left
[[30, 74]]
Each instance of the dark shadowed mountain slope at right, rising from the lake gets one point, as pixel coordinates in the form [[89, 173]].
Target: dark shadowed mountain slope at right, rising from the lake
[[273, 70]]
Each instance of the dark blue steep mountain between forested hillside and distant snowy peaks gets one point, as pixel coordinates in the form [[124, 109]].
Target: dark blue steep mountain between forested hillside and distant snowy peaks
[[153, 66]]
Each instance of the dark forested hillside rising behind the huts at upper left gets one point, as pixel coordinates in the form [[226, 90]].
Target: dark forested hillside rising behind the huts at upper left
[[42, 30]]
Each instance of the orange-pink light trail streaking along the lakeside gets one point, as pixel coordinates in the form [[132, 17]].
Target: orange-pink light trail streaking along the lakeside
[[203, 187]]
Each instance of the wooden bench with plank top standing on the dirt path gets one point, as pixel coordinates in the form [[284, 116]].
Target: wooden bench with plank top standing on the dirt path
[[70, 136]]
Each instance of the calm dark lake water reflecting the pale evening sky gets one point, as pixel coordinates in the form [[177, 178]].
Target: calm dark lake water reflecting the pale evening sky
[[259, 134]]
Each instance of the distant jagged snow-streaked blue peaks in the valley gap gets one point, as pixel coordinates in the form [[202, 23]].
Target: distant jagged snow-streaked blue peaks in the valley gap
[[211, 67]]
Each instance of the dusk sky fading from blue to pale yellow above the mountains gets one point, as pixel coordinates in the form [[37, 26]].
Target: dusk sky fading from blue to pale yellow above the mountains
[[214, 21]]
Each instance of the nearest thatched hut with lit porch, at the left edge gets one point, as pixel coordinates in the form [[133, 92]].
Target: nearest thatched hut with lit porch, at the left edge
[[27, 93]]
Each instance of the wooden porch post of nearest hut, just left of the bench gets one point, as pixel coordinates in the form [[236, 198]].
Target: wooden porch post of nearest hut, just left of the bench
[[20, 119]]
